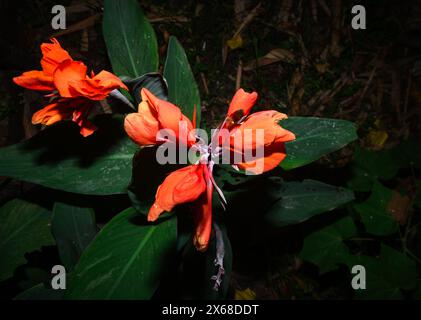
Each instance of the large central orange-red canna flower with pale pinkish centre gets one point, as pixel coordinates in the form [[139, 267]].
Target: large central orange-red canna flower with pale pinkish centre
[[194, 183]]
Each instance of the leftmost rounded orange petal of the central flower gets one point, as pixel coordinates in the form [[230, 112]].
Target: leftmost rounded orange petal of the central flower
[[142, 127]]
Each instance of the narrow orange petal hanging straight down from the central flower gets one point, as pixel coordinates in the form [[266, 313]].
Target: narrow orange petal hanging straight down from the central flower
[[203, 216]]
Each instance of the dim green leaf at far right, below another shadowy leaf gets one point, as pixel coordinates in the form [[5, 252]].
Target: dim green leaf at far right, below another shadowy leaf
[[377, 220]]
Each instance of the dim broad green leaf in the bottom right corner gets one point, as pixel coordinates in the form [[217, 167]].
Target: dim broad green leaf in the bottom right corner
[[386, 275]]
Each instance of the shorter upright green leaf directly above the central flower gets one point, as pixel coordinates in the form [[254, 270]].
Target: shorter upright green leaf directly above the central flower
[[182, 87]]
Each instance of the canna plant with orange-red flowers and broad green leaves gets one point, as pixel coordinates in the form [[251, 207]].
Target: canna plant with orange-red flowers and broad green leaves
[[140, 251]]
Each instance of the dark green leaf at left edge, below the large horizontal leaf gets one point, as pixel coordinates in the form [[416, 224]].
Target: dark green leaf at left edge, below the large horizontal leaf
[[24, 227]]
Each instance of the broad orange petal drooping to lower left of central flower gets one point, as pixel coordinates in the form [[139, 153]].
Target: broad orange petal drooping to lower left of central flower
[[181, 186]]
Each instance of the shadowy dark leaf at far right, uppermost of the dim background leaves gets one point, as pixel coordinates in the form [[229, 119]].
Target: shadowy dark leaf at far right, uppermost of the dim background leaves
[[369, 166]]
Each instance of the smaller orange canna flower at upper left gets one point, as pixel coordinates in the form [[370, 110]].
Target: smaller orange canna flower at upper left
[[72, 91]]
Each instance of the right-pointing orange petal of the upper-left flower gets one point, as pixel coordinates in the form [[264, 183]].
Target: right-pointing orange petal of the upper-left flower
[[98, 87]]
